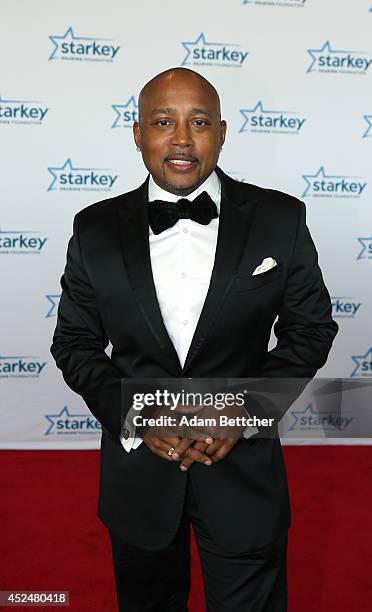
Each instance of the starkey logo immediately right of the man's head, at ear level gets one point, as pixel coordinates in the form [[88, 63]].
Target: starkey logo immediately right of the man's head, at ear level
[[261, 120]]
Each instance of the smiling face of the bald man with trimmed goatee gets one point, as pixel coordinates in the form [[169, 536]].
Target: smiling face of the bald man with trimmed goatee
[[180, 133]]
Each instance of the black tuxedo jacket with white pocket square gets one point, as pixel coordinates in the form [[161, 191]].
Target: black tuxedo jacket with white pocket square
[[109, 295]]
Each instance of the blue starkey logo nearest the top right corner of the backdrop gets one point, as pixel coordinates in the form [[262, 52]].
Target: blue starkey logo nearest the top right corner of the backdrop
[[327, 59]]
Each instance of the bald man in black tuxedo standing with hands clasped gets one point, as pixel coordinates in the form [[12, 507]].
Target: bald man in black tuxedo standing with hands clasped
[[169, 274]]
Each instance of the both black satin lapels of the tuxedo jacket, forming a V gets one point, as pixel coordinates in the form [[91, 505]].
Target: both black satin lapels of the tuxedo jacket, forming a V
[[236, 215]]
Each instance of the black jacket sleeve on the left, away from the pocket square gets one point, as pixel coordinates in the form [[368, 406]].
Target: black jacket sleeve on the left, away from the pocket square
[[79, 343]]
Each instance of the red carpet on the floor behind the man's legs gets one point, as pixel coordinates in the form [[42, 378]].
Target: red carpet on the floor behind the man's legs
[[52, 539]]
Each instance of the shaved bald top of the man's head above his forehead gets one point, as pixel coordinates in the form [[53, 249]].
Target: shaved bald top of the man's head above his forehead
[[181, 76]]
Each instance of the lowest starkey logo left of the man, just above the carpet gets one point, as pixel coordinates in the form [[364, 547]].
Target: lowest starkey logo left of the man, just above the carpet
[[67, 423]]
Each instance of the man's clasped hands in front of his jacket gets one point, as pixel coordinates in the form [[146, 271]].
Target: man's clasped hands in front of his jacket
[[206, 445]]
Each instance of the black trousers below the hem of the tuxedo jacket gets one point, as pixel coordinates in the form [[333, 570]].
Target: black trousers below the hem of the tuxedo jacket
[[160, 581]]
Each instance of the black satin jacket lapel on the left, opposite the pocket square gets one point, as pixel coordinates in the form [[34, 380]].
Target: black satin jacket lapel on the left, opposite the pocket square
[[133, 220]]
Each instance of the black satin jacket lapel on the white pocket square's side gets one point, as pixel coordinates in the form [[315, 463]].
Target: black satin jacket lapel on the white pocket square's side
[[236, 216]]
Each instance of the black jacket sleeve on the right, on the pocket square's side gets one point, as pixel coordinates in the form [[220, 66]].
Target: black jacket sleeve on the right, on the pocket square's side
[[304, 330]]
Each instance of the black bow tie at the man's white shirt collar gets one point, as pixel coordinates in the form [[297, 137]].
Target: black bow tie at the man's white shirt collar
[[163, 215]]
